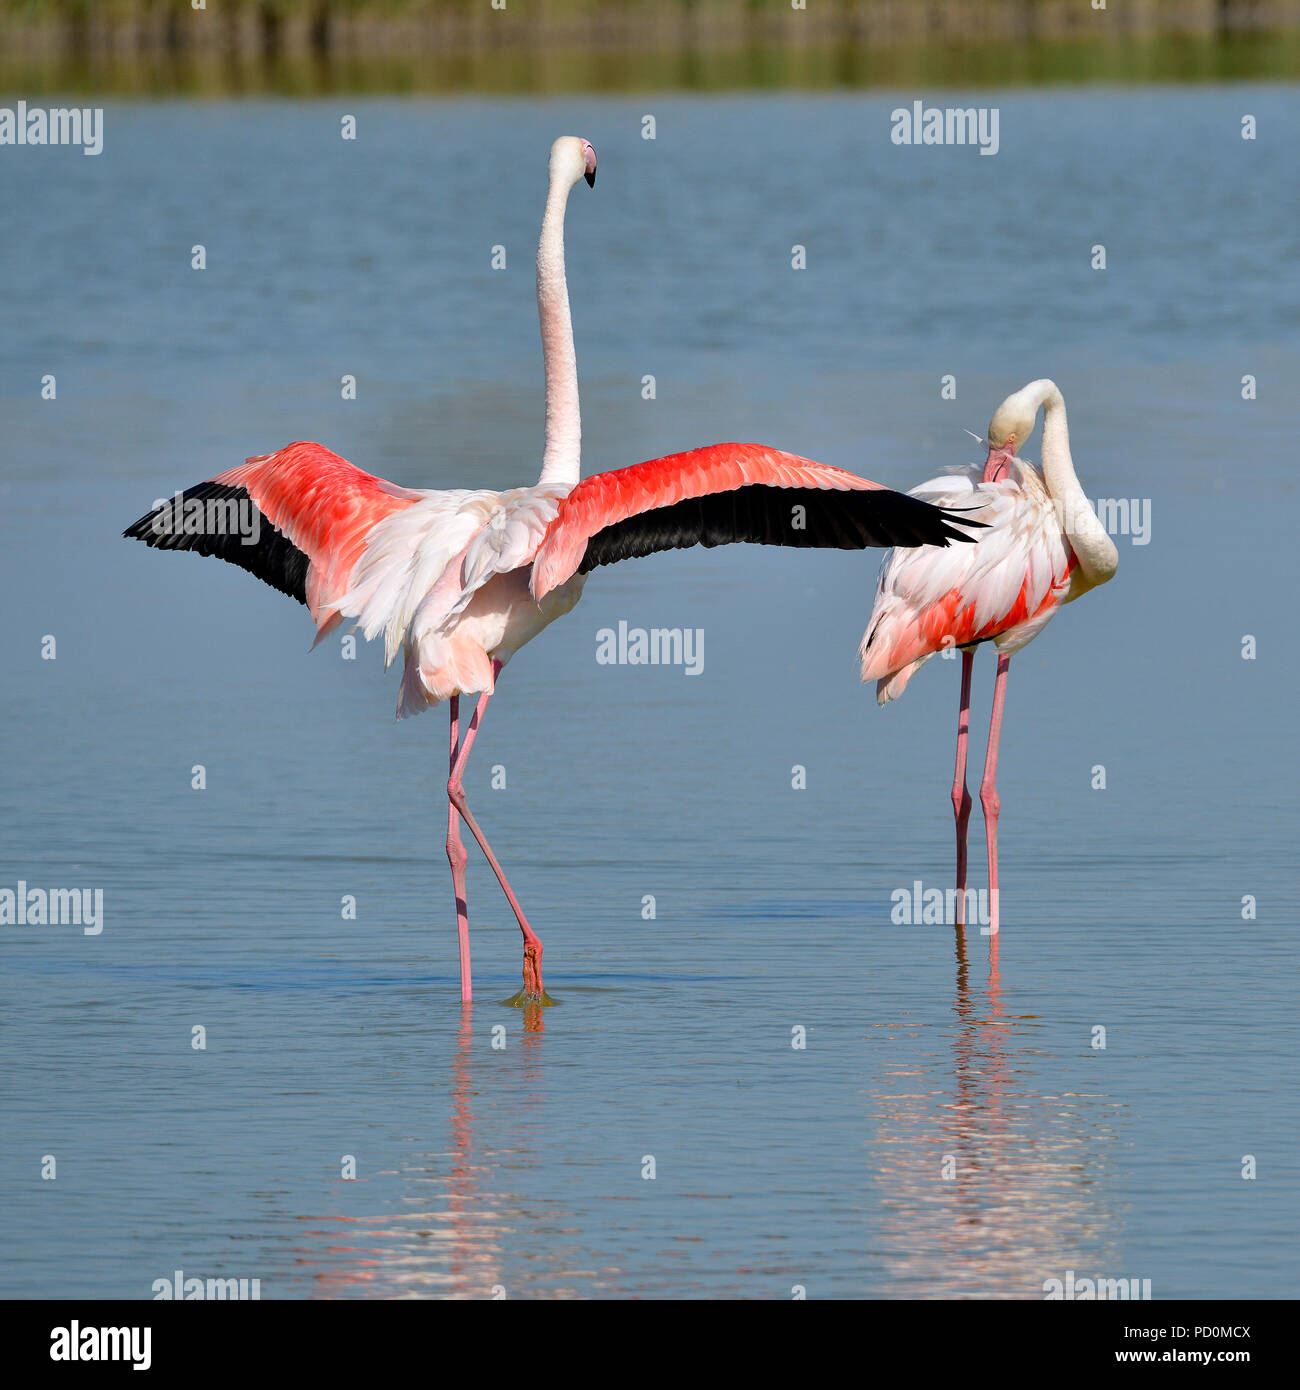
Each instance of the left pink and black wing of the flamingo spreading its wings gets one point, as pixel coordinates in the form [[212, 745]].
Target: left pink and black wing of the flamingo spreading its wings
[[298, 519]]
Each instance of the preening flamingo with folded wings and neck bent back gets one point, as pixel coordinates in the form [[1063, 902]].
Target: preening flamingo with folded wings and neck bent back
[[1043, 547]]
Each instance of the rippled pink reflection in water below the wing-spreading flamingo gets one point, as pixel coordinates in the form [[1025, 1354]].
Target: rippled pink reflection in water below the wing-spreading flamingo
[[454, 1246]]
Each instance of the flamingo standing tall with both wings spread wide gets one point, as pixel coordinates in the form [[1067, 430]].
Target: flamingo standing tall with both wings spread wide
[[458, 582]]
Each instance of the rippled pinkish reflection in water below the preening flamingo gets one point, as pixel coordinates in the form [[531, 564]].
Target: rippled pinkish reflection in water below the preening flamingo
[[988, 1188]]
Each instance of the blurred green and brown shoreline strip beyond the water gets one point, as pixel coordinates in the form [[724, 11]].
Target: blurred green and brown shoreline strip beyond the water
[[159, 48]]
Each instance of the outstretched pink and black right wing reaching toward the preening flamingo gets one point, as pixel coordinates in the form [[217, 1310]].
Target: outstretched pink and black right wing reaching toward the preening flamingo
[[722, 496]]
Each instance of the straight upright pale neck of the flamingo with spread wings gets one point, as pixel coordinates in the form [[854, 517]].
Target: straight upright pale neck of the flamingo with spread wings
[[564, 451]]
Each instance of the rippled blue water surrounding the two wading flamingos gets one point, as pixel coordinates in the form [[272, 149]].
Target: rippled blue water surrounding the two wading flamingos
[[521, 1170]]
